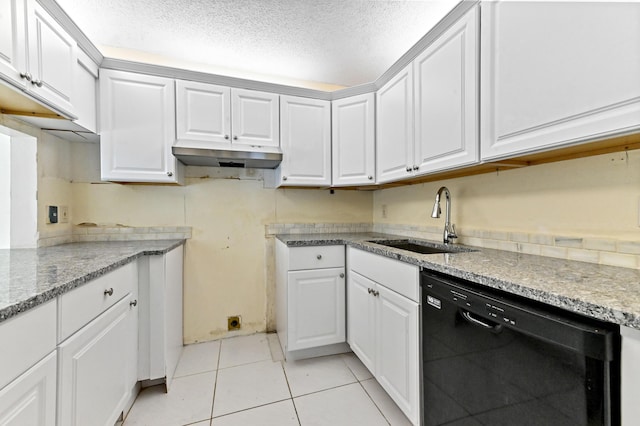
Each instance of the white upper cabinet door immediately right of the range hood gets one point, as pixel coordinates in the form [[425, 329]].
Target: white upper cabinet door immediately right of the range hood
[[306, 142]]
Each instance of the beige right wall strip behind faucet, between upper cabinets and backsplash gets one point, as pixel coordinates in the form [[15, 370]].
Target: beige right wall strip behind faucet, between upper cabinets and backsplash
[[597, 196]]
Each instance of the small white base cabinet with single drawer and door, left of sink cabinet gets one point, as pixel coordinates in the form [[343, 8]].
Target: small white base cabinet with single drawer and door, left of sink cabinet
[[310, 300]]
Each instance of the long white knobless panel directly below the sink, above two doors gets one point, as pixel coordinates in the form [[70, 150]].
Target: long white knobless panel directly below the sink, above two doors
[[398, 276]]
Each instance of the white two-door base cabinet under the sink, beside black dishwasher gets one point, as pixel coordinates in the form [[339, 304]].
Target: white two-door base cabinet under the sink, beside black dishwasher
[[383, 325]]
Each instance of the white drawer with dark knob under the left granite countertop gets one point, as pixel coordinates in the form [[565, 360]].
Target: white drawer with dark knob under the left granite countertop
[[81, 305]]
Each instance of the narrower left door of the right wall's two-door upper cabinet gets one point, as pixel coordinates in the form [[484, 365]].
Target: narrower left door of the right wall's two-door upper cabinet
[[394, 128]]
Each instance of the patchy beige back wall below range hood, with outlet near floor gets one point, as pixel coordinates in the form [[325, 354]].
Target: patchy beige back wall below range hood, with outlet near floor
[[228, 261]]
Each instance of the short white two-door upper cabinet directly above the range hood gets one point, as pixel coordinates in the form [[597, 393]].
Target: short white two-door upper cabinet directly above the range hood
[[208, 115]]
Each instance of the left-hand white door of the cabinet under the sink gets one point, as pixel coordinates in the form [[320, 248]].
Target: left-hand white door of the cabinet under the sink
[[361, 318]]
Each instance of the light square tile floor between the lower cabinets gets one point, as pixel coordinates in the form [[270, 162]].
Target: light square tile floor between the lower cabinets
[[244, 381]]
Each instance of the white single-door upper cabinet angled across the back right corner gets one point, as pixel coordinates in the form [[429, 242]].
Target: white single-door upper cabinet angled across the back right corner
[[353, 144]]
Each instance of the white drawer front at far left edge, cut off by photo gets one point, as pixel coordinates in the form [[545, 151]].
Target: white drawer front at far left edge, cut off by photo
[[32, 335]]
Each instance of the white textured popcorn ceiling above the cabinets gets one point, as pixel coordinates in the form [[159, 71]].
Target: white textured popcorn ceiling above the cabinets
[[298, 42]]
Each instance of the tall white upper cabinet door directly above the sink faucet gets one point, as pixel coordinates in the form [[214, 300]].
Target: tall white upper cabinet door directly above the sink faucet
[[446, 99]]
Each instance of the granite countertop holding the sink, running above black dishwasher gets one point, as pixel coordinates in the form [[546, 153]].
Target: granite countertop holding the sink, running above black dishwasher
[[604, 292]]
